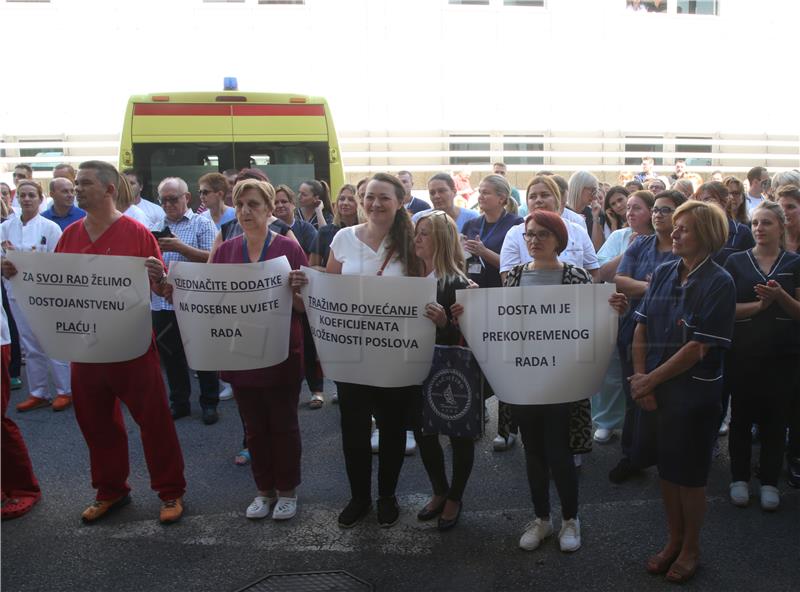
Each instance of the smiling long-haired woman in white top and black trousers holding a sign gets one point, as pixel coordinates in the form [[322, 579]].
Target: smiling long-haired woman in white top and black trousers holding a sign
[[383, 246]]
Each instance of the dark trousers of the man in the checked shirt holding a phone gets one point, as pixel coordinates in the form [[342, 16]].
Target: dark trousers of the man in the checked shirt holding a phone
[[170, 349]]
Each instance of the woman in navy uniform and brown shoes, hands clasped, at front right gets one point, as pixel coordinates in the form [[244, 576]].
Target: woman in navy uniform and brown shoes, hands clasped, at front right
[[684, 324]]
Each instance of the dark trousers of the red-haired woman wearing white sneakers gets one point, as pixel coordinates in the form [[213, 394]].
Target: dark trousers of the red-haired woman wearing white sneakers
[[545, 434]]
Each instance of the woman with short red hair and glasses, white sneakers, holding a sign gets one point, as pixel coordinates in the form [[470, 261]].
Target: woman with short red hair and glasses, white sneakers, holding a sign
[[546, 428]]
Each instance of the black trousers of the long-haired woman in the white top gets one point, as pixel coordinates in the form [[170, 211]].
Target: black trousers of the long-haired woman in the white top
[[396, 410]]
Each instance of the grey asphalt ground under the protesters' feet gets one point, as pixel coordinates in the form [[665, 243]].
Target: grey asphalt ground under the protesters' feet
[[215, 548]]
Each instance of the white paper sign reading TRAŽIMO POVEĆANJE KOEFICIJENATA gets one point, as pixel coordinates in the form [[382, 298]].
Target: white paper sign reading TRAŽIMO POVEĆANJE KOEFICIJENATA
[[369, 329]]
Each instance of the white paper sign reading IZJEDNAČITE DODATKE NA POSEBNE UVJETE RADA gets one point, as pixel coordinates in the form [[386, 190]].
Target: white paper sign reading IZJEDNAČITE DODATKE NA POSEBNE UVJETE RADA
[[233, 316]]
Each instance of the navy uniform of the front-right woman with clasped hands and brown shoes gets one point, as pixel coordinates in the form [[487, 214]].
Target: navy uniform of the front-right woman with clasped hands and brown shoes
[[689, 405]]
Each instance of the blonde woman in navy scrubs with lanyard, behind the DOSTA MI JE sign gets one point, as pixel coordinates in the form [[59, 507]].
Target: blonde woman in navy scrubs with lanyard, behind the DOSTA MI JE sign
[[483, 236]]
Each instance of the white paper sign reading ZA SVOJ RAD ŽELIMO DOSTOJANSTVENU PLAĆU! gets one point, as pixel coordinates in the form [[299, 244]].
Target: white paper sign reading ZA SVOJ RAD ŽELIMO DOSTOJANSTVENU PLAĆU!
[[85, 308]]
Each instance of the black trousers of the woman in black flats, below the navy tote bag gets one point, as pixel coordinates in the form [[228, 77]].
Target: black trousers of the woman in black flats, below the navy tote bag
[[432, 455]]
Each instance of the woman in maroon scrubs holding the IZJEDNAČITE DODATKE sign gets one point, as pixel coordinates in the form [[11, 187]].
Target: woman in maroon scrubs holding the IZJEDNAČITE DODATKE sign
[[267, 397]]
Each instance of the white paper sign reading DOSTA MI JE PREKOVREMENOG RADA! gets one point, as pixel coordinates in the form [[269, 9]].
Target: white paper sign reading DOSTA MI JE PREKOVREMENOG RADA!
[[541, 344]]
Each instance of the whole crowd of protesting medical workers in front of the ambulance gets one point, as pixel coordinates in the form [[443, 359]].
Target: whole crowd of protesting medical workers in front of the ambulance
[[707, 277]]
